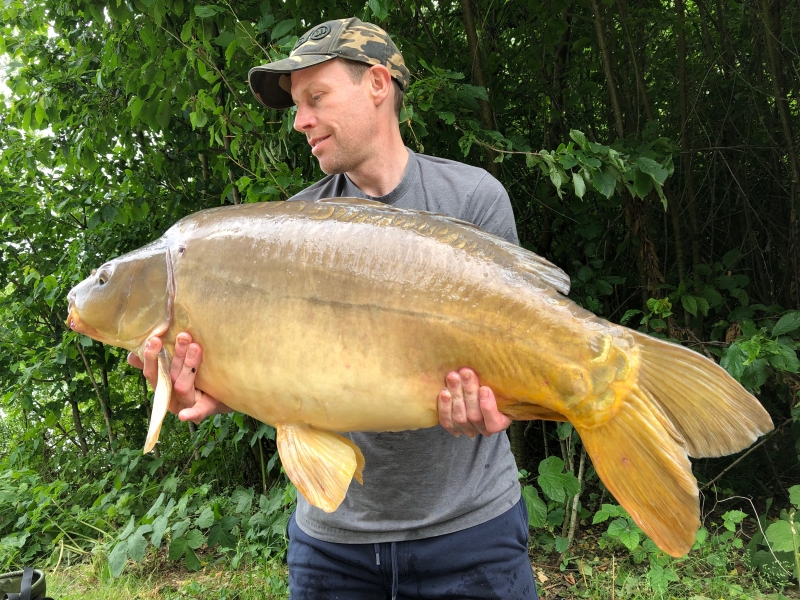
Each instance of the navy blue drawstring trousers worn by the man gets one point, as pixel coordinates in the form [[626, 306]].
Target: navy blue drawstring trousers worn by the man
[[487, 561]]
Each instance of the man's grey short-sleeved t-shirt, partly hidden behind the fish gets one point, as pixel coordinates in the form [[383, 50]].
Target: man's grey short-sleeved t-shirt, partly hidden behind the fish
[[426, 482]]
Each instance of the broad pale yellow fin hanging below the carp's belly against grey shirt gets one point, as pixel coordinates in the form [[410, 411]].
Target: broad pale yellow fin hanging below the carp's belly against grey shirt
[[320, 463]]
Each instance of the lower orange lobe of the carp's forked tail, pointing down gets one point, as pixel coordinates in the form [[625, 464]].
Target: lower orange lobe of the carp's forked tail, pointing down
[[642, 460]]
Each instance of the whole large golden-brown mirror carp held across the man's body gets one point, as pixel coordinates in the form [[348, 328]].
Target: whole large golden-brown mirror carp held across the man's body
[[304, 310]]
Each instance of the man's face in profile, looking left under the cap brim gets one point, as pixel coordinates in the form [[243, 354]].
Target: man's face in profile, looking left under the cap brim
[[336, 115]]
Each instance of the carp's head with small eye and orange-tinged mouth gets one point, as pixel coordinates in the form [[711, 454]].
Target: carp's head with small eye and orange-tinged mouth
[[126, 300]]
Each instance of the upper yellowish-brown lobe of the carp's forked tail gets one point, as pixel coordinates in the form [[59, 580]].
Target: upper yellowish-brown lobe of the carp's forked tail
[[714, 414]]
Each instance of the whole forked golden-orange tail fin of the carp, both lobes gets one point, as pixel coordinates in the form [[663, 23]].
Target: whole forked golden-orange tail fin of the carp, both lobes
[[681, 404]]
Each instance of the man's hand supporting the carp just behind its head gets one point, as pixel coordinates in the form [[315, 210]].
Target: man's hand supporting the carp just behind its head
[[189, 403]]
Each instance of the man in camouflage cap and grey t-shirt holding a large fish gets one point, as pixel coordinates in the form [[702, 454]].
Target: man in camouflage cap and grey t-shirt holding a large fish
[[440, 513]]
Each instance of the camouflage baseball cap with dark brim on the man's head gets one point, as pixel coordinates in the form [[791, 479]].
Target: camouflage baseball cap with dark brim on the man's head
[[342, 38]]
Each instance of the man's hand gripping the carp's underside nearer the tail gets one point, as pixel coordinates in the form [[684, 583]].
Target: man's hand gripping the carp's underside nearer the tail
[[469, 408]]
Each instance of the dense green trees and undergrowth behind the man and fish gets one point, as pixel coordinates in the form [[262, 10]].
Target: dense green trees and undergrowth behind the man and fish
[[649, 149]]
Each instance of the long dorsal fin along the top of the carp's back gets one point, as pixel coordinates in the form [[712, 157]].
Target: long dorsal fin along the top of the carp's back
[[440, 227]]
